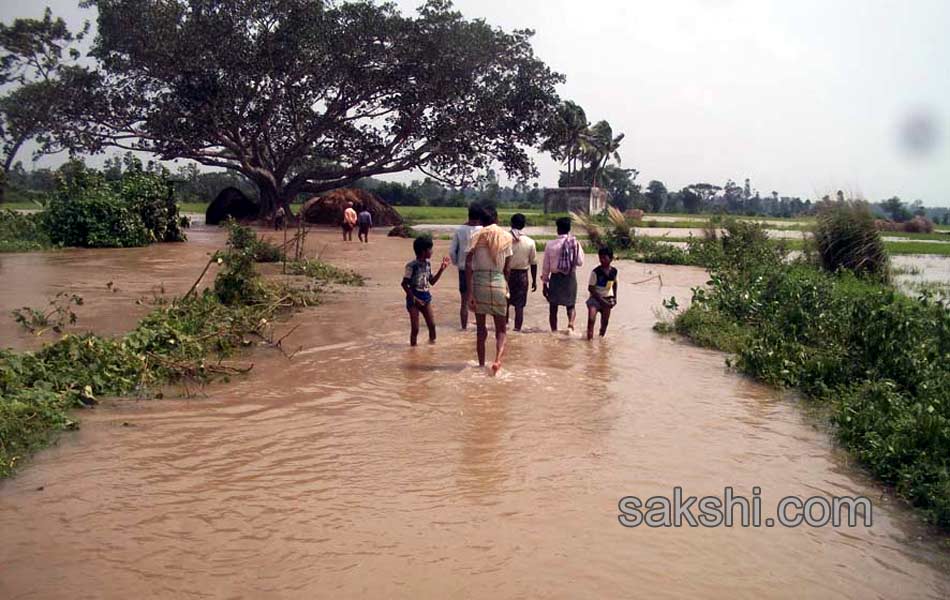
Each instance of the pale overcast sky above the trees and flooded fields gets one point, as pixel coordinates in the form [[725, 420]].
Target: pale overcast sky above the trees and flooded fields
[[802, 96]]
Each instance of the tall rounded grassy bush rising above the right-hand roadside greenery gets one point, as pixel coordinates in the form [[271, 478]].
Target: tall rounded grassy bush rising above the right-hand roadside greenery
[[846, 237]]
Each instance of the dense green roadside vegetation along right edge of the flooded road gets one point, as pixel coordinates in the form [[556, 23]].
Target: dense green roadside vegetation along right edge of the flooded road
[[878, 360]]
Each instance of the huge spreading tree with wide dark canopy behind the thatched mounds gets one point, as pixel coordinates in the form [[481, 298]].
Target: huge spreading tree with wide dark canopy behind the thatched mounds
[[303, 96]]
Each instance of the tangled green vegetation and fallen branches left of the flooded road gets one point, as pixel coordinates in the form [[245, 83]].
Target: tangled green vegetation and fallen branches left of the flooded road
[[190, 339]]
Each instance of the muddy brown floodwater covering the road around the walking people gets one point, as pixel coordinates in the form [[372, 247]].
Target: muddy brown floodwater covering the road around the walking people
[[364, 468]]
